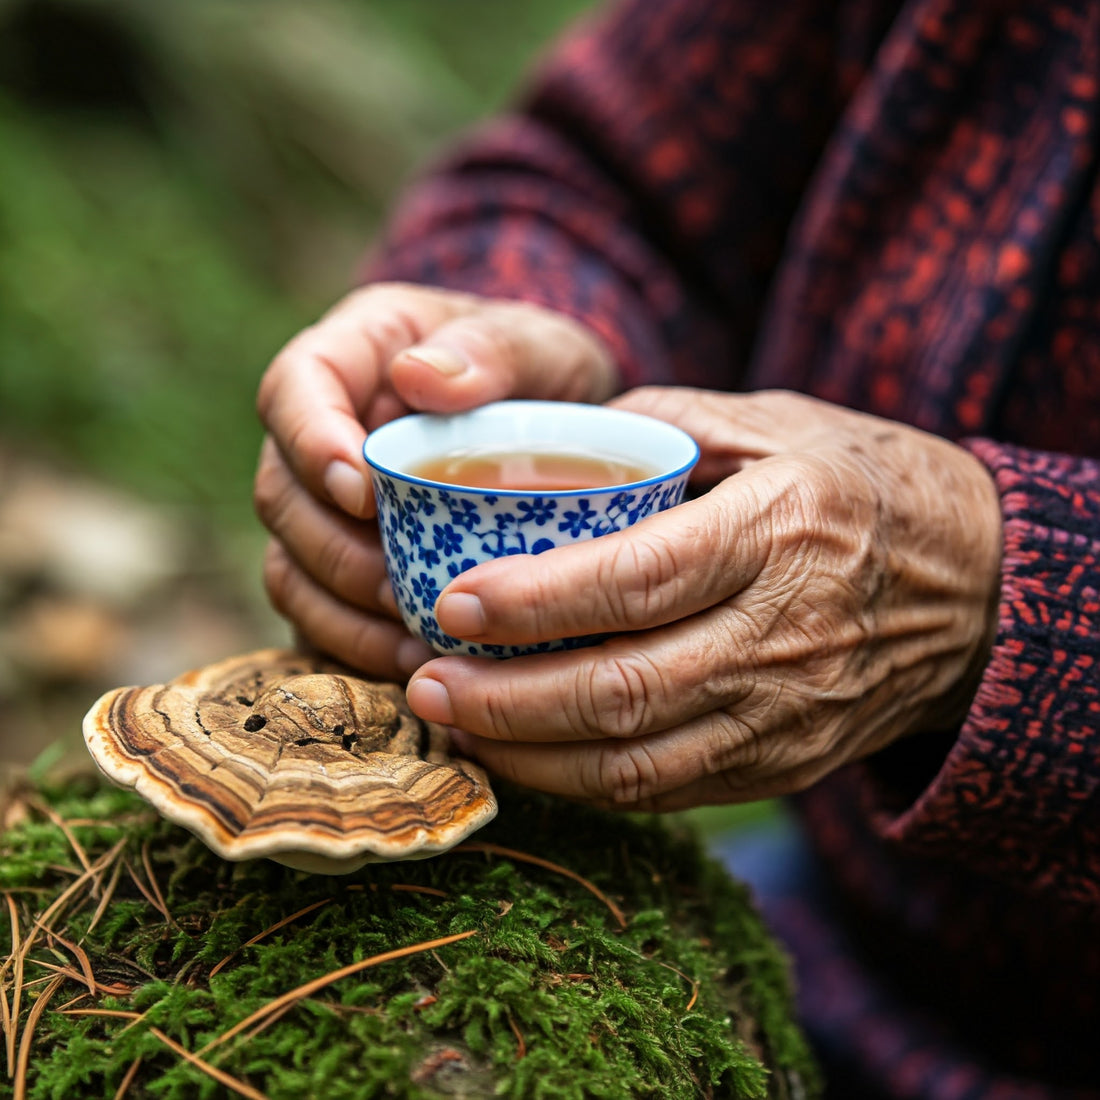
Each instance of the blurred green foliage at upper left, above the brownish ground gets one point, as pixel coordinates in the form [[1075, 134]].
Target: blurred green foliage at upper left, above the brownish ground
[[184, 185]]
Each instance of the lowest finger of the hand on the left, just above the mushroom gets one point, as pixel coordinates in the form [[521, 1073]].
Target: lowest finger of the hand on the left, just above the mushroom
[[365, 642]]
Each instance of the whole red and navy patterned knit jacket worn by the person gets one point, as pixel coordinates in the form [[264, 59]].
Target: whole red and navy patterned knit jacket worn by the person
[[895, 207]]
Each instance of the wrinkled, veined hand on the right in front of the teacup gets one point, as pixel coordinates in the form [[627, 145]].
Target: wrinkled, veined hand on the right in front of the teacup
[[835, 591]]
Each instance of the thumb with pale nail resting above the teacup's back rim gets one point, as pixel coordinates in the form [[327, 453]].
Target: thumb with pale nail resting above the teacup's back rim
[[501, 350]]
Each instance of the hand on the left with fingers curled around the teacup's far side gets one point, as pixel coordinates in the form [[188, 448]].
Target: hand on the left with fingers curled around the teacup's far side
[[383, 351]]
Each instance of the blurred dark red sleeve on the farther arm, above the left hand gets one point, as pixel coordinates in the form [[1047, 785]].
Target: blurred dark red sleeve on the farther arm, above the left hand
[[646, 184]]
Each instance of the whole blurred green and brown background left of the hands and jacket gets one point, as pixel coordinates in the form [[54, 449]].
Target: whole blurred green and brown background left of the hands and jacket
[[184, 184]]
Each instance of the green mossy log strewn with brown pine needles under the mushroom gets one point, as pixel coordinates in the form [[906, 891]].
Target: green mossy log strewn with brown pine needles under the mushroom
[[584, 955]]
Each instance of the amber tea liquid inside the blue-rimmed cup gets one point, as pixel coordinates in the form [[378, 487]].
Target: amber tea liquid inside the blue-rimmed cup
[[531, 470]]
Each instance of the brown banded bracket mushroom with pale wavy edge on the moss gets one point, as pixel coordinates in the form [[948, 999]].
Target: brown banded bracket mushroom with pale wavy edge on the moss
[[291, 757]]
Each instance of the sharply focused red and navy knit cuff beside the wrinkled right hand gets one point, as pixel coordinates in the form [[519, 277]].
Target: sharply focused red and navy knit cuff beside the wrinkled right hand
[[1018, 796]]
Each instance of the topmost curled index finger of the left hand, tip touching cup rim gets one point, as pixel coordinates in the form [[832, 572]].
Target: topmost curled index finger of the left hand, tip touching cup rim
[[318, 391]]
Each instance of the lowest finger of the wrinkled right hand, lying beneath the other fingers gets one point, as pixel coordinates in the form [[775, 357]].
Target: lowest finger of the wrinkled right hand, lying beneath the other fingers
[[626, 774]]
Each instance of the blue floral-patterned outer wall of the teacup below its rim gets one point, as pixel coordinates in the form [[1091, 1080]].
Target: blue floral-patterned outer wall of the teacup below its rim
[[433, 535]]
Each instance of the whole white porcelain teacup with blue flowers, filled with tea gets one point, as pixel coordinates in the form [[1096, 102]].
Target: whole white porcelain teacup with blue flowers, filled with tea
[[434, 529]]
